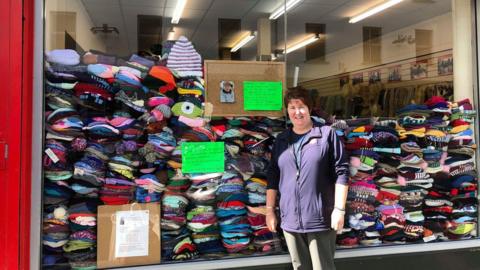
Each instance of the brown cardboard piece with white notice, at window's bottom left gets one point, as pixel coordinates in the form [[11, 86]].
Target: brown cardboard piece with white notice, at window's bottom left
[[128, 235]]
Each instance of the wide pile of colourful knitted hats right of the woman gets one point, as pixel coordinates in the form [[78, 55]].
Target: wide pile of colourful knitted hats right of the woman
[[423, 173]]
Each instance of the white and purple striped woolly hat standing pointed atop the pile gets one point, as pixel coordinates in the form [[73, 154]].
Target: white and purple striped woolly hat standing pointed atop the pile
[[184, 59]]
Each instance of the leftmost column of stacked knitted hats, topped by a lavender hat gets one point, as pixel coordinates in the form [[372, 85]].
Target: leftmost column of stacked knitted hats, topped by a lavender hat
[[65, 141]]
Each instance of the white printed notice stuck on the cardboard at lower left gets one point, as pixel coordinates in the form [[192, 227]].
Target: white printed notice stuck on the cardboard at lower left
[[131, 233]]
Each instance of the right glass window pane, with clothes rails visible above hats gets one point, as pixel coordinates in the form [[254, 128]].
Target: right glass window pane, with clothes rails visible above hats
[[386, 84]]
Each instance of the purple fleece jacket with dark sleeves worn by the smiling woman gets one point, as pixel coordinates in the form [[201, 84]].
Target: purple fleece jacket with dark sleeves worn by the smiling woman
[[307, 195]]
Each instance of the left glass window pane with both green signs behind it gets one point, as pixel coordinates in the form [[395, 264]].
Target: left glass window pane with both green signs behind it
[[132, 92]]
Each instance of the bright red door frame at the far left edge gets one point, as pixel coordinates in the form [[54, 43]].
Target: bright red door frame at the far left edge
[[16, 58]]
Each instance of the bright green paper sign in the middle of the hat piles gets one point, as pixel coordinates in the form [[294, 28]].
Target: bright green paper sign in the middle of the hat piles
[[203, 157]]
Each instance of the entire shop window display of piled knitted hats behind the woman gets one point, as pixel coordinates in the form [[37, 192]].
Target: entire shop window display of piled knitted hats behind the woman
[[185, 128]]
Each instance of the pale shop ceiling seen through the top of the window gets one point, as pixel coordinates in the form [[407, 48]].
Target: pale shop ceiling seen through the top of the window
[[200, 17]]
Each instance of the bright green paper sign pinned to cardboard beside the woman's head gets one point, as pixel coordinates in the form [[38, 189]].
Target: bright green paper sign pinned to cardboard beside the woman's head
[[262, 96]]
